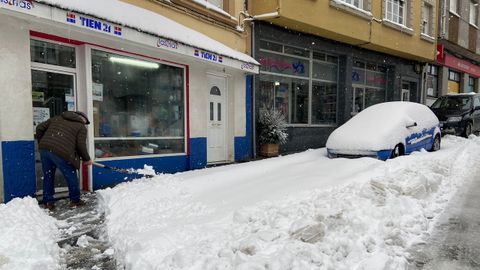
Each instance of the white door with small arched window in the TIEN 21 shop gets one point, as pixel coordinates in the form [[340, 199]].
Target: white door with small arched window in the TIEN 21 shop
[[217, 119]]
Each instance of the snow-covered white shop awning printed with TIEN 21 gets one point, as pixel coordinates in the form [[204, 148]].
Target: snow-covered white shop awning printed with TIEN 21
[[125, 21]]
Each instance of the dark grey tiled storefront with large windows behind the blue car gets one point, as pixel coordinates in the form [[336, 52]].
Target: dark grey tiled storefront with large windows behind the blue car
[[318, 84]]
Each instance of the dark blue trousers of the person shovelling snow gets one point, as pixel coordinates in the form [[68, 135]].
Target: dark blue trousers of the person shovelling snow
[[50, 162]]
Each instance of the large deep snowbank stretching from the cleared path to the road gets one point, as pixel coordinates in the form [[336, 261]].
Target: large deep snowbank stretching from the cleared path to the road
[[301, 211]]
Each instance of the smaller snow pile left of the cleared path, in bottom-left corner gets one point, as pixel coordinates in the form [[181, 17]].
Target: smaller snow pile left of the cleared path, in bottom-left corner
[[27, 237]]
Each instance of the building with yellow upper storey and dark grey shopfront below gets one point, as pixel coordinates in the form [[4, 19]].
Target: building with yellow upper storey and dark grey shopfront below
[[324, 61]]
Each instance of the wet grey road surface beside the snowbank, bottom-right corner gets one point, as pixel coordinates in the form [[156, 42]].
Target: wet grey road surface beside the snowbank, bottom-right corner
[[455, 240]]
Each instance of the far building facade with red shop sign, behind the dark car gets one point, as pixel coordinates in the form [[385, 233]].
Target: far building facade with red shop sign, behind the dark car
[[457, 65]]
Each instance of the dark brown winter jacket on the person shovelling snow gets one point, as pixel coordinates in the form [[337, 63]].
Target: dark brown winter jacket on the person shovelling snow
[[64, 135]]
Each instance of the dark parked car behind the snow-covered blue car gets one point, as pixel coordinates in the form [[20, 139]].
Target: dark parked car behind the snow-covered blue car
[[459, 114]]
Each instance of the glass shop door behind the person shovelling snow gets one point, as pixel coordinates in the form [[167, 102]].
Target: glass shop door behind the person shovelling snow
[[53, 92]]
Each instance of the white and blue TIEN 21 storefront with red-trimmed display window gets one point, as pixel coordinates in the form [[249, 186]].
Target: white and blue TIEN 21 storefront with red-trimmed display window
[[152, 100]]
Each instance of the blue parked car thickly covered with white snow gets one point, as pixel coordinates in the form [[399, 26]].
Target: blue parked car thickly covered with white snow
[[386, 130]]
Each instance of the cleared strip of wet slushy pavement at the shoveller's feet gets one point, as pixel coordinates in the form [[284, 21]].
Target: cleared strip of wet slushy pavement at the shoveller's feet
[[83, 241]]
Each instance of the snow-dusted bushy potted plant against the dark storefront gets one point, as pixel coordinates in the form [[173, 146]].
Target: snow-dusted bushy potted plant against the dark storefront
[[271, 132]]
